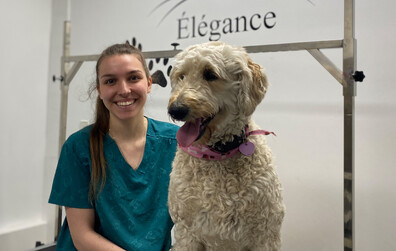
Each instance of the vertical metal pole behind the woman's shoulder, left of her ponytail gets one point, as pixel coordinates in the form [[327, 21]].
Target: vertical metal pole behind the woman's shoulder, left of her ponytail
[[63, 110]]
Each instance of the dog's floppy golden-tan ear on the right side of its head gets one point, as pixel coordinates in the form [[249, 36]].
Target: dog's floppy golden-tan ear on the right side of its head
[[256, 85]]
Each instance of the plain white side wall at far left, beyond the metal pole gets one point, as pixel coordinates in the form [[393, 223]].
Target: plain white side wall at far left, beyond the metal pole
[[24, 49]]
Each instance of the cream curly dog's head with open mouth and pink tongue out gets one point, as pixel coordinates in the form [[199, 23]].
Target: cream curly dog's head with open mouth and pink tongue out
[[215, 89]]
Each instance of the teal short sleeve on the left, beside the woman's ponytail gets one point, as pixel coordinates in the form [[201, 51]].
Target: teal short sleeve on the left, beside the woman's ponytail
[[70, 186]]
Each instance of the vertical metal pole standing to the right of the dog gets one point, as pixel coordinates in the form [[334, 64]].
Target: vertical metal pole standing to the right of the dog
[[349, 92]]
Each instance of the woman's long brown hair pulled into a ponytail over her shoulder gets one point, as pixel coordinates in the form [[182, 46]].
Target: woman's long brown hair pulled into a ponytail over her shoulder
[[102, 116]]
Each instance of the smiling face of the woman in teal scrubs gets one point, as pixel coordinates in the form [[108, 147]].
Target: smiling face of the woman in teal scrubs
[[123, 86]]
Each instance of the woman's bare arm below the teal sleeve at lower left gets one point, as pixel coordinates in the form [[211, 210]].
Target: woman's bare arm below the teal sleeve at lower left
[[81, 224]]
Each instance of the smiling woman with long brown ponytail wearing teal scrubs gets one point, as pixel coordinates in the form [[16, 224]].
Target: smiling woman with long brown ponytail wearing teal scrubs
[[112, 176]]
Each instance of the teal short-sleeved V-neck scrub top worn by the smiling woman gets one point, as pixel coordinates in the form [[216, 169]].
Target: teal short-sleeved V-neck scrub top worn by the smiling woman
[[131, 210]]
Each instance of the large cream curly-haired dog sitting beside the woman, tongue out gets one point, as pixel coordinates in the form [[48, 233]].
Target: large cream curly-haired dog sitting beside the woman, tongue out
[[224, 193]]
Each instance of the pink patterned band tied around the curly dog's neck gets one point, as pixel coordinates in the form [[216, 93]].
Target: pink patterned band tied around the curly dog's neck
[[205, 152]]
